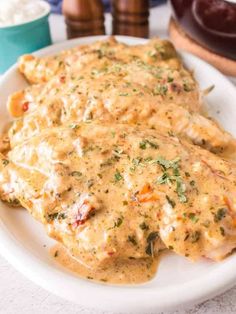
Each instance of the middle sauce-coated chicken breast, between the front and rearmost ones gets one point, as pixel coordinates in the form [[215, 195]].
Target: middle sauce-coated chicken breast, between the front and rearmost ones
[[160, 96]]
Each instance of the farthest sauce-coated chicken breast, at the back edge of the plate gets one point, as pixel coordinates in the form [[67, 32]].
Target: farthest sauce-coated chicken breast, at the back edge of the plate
[[156, 52]]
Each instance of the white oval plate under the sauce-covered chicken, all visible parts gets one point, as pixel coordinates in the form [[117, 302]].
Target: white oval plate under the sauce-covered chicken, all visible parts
[[178, 282]]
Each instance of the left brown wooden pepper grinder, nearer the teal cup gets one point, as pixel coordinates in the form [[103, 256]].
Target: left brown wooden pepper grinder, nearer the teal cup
[[83, 17]]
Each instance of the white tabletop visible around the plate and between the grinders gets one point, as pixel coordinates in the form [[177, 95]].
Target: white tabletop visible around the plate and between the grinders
[[19, 295]]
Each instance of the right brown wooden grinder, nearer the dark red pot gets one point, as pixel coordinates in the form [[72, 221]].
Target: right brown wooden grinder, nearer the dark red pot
[[130, 17]]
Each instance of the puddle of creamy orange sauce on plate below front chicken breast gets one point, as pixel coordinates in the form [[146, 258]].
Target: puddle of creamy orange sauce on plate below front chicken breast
[[132, 271]]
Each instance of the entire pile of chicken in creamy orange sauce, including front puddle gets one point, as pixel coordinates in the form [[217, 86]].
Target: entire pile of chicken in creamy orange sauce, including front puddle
[[126, 183]]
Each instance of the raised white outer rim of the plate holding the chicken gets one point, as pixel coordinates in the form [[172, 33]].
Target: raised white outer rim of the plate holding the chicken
[[45, 275]]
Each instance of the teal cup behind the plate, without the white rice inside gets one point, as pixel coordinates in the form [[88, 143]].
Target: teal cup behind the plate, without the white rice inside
[[19, 39]]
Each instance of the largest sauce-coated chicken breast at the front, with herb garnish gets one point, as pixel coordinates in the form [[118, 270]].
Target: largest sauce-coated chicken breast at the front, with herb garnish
[[117, 191]]
